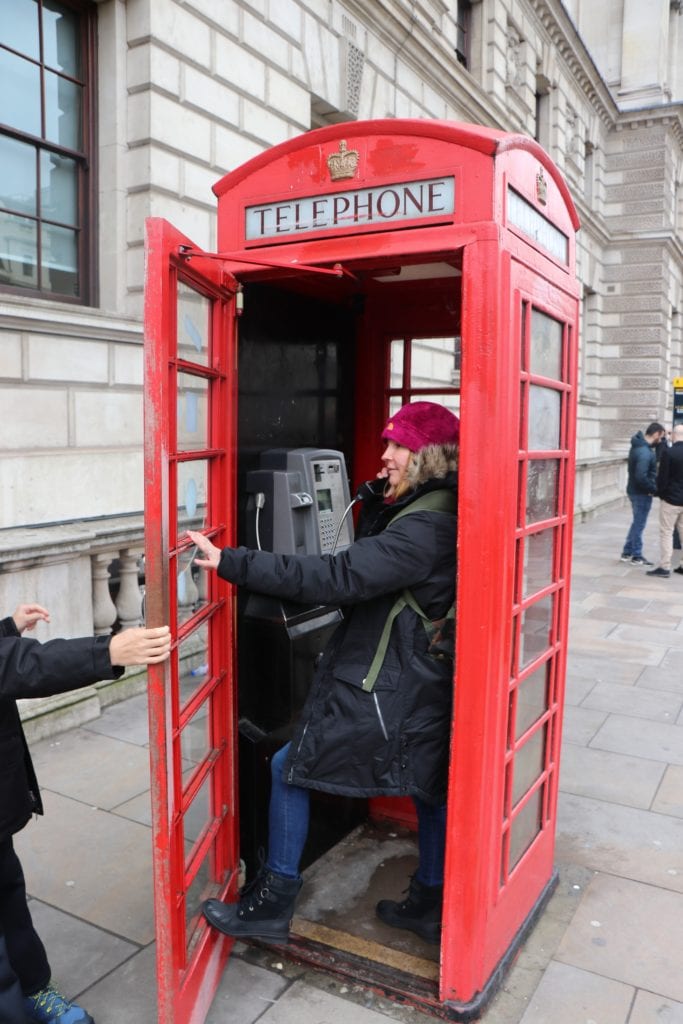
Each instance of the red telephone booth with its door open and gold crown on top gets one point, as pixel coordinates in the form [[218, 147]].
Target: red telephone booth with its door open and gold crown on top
[[361, 267]]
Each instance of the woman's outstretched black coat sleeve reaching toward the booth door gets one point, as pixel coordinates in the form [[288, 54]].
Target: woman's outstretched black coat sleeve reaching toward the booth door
[[399, 558]]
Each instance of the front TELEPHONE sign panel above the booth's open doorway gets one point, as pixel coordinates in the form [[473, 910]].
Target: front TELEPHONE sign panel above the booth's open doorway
[[382, 205]]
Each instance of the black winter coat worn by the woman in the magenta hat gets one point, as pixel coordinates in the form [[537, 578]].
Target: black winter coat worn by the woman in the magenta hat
[[394, 741]]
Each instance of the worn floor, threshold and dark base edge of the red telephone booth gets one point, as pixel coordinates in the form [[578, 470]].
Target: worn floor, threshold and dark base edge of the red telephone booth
[[335, 929]]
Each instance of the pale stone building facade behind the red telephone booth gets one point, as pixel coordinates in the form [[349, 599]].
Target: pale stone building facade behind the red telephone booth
[[154, 101]]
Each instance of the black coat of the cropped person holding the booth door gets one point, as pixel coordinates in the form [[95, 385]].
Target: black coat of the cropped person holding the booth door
[[30, 669]]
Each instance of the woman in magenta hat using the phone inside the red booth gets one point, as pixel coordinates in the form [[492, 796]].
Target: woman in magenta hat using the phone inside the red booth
[[377, 719]]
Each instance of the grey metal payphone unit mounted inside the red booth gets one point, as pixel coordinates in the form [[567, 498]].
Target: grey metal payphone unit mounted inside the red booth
[[300, 502]]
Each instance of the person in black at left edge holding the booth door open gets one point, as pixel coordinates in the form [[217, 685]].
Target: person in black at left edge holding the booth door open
[[29, 669]]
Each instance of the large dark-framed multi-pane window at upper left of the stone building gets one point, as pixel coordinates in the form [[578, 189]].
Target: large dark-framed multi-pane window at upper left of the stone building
[[47, 145]]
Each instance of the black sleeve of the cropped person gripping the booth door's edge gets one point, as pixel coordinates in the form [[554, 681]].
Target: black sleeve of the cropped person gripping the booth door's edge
[[30, 669]]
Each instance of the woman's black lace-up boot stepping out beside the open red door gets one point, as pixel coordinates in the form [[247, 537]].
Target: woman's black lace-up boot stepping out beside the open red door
[[265, 910]]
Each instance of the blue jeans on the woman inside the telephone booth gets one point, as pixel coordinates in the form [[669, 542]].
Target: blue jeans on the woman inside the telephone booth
[[288, 828]]
